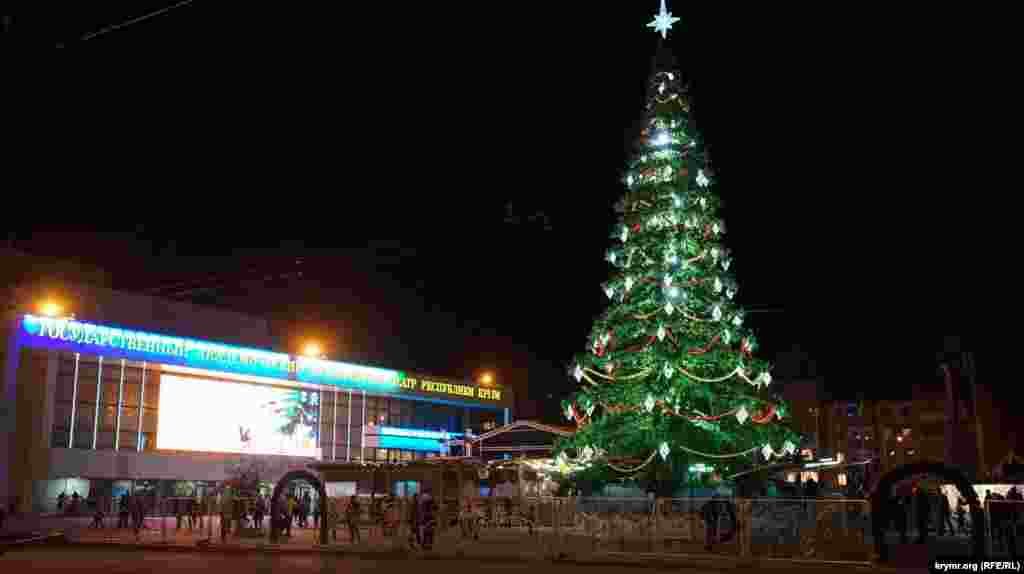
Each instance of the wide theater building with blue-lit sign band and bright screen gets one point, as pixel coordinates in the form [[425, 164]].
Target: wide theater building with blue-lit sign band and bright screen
[[142, 394]]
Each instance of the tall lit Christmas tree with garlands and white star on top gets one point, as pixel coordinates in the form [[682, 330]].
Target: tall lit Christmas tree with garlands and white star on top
[[670, 368]]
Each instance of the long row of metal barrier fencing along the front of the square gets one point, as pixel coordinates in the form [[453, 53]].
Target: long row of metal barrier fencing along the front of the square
[[795, 528]]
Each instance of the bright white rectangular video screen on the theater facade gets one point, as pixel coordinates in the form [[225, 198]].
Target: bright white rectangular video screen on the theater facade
[[218, 417]]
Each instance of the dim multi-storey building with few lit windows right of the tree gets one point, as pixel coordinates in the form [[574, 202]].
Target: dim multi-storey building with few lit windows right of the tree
[[947, 419]]
